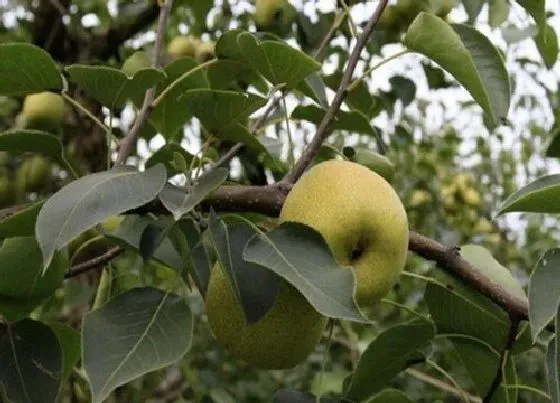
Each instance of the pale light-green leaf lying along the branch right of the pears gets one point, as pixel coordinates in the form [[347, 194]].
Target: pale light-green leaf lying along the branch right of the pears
[[483, 261]]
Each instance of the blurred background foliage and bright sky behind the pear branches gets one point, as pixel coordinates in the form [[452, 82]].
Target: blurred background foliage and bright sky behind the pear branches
[[452, 170]]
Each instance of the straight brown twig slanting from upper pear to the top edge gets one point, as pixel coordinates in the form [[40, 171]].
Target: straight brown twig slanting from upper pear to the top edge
[[325, 127]]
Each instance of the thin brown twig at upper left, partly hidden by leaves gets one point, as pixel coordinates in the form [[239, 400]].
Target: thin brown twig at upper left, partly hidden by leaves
[[126, 144]]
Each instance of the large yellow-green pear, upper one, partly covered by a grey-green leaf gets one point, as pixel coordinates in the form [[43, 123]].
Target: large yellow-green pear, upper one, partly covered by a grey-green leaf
[[361, 218]]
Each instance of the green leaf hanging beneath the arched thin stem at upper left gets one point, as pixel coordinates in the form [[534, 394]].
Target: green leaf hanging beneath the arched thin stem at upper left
[[169, 113]]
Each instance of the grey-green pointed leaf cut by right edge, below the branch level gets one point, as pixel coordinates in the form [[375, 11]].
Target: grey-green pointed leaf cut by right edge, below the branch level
[[544, 291]]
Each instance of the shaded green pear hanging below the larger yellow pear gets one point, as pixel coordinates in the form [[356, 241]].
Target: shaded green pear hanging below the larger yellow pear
[[283, 338]]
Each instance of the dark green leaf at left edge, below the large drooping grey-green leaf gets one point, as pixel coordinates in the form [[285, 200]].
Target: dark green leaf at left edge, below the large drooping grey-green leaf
[[23, 286]]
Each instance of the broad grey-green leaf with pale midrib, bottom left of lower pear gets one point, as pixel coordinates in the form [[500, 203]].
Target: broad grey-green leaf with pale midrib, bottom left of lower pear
[[155, 332]]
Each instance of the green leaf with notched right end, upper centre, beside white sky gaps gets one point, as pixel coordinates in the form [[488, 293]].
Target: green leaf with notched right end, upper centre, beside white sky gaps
[[222, 113]]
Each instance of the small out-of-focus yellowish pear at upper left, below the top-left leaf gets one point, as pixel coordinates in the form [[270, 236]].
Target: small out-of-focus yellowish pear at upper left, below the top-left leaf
[[43, 111]]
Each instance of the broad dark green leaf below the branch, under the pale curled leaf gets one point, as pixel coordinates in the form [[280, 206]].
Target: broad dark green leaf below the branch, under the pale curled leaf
[[457, 309]]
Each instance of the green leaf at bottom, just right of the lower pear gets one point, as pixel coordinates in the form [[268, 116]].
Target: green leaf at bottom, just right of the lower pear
[[386, 356]]
